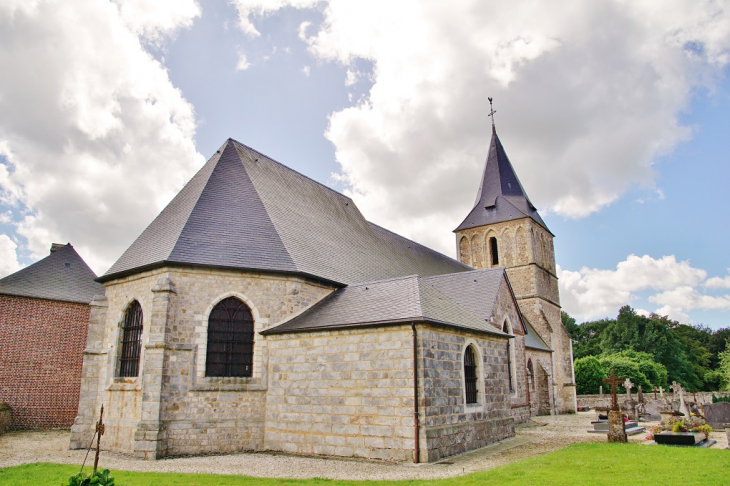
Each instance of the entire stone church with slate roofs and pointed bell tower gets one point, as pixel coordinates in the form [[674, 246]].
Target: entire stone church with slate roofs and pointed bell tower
[[260, 311]]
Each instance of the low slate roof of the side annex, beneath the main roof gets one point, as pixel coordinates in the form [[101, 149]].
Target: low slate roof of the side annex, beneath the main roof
[[405, 299]]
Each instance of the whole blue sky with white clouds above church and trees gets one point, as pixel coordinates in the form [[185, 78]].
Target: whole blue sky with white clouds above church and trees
[[614, 114]]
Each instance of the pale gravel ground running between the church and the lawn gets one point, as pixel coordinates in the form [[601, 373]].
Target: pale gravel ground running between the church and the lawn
[[541, 435]]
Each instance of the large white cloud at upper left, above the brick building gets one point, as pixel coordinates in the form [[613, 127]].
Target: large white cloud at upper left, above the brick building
[[97, 139]]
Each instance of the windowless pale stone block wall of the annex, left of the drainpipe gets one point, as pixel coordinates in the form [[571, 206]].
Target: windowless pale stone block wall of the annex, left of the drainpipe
[[342, 393]]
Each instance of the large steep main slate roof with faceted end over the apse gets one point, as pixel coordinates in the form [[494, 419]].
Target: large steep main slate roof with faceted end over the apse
[[243, 210]]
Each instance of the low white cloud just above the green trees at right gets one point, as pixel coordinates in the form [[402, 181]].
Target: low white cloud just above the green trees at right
[[590, 292]]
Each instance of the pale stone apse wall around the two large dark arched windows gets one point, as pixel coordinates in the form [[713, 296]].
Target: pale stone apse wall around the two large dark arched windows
[[172, 407]]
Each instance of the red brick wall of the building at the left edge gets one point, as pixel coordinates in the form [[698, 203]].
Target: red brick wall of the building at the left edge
[[41, 345]]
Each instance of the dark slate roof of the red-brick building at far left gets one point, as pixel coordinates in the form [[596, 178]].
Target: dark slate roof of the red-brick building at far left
[[62, 275]]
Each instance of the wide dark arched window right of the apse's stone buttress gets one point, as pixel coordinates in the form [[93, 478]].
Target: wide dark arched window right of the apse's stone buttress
[[230, 339]]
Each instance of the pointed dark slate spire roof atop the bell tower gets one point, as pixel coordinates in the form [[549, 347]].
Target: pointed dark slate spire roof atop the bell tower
[[501, 196]]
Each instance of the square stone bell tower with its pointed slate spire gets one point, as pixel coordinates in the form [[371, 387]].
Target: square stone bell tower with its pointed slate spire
[[504, 229]]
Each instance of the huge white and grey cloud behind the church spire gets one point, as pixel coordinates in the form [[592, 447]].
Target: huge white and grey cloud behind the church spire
[[588, 95]]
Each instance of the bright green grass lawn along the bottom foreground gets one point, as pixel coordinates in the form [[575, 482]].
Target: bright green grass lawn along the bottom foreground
[[588, 463]]
